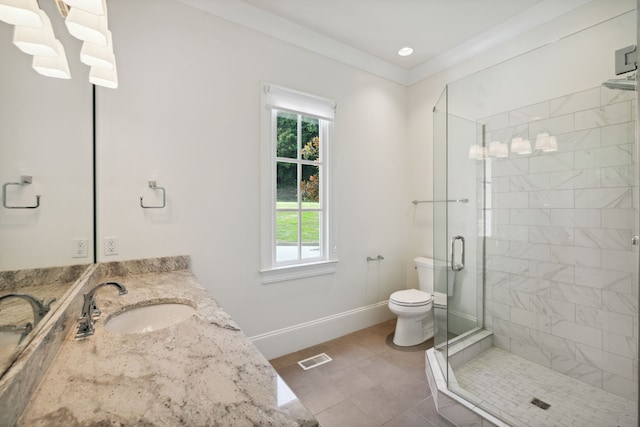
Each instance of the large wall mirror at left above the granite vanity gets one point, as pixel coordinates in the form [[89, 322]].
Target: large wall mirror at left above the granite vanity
[[46, 150]]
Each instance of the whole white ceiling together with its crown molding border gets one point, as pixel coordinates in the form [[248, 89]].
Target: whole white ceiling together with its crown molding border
[[368, 33]]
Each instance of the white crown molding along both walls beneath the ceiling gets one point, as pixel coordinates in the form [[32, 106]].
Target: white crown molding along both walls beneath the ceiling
[[259, 20]]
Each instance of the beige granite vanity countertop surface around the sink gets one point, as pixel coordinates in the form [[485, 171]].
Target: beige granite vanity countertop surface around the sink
[[203, 371]]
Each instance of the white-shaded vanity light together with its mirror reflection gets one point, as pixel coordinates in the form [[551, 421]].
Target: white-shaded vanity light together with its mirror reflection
[[86, 20]]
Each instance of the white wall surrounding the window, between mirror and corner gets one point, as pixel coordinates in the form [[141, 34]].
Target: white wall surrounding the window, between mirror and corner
[[187, 113]]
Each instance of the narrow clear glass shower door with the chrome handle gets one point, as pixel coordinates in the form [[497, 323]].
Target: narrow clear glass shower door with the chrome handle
[[458, 192]]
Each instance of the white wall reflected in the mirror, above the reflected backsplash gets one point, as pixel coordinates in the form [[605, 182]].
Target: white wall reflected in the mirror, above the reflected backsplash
[[45, 132]]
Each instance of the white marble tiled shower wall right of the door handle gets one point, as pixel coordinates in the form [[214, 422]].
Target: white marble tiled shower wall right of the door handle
[[560, 286]]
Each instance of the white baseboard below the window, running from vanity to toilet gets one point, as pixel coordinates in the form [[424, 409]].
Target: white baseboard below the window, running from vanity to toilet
[[293, 338]]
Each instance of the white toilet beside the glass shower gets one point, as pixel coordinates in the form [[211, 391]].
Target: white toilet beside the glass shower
[[414, 307]]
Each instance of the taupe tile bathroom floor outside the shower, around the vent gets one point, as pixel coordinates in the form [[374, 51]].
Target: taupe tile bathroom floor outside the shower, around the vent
[[368, 382]]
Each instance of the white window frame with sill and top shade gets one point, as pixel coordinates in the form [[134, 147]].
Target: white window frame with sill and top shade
[[277, 98]]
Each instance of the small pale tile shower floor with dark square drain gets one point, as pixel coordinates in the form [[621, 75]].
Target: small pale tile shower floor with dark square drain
[[506, 384]]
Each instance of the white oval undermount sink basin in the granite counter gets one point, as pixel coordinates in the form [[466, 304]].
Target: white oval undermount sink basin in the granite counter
[[149, 318]]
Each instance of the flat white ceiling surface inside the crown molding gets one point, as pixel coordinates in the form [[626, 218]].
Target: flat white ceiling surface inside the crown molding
[[382, 27]]
